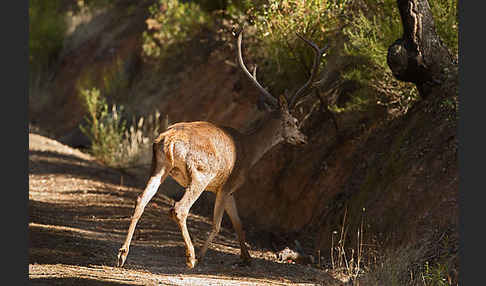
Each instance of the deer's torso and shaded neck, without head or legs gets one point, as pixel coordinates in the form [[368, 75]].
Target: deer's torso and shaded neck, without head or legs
[[222, 154]]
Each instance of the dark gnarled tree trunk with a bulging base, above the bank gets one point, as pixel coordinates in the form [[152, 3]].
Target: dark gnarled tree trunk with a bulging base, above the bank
[[419, 56]]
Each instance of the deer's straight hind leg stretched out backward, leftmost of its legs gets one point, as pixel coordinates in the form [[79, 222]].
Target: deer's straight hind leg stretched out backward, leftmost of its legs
[[159, 173]]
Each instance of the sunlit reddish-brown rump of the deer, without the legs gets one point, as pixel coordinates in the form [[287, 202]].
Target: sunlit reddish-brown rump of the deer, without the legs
[[202, 146]]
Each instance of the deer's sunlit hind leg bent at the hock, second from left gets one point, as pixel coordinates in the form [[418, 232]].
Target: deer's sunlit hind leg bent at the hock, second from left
[[181, 210]]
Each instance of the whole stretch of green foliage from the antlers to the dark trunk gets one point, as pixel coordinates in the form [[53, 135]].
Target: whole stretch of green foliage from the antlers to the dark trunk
[[369, 27]]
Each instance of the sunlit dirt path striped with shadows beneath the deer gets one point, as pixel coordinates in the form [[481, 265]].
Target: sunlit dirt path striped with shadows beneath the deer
[[78, 217]]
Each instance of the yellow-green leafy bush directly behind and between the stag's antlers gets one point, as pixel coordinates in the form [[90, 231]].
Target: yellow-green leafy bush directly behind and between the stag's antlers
[[286, 59]]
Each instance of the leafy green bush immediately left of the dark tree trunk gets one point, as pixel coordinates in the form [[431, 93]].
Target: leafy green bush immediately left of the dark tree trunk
[[371, 29]]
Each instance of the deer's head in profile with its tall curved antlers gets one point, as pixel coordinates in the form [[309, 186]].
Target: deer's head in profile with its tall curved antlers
[[287, 125]]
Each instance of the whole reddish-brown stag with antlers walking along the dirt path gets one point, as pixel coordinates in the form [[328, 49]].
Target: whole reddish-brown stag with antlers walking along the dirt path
[[201, 156]]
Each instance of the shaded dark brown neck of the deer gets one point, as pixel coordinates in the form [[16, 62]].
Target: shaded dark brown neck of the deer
[[262, 139]]
